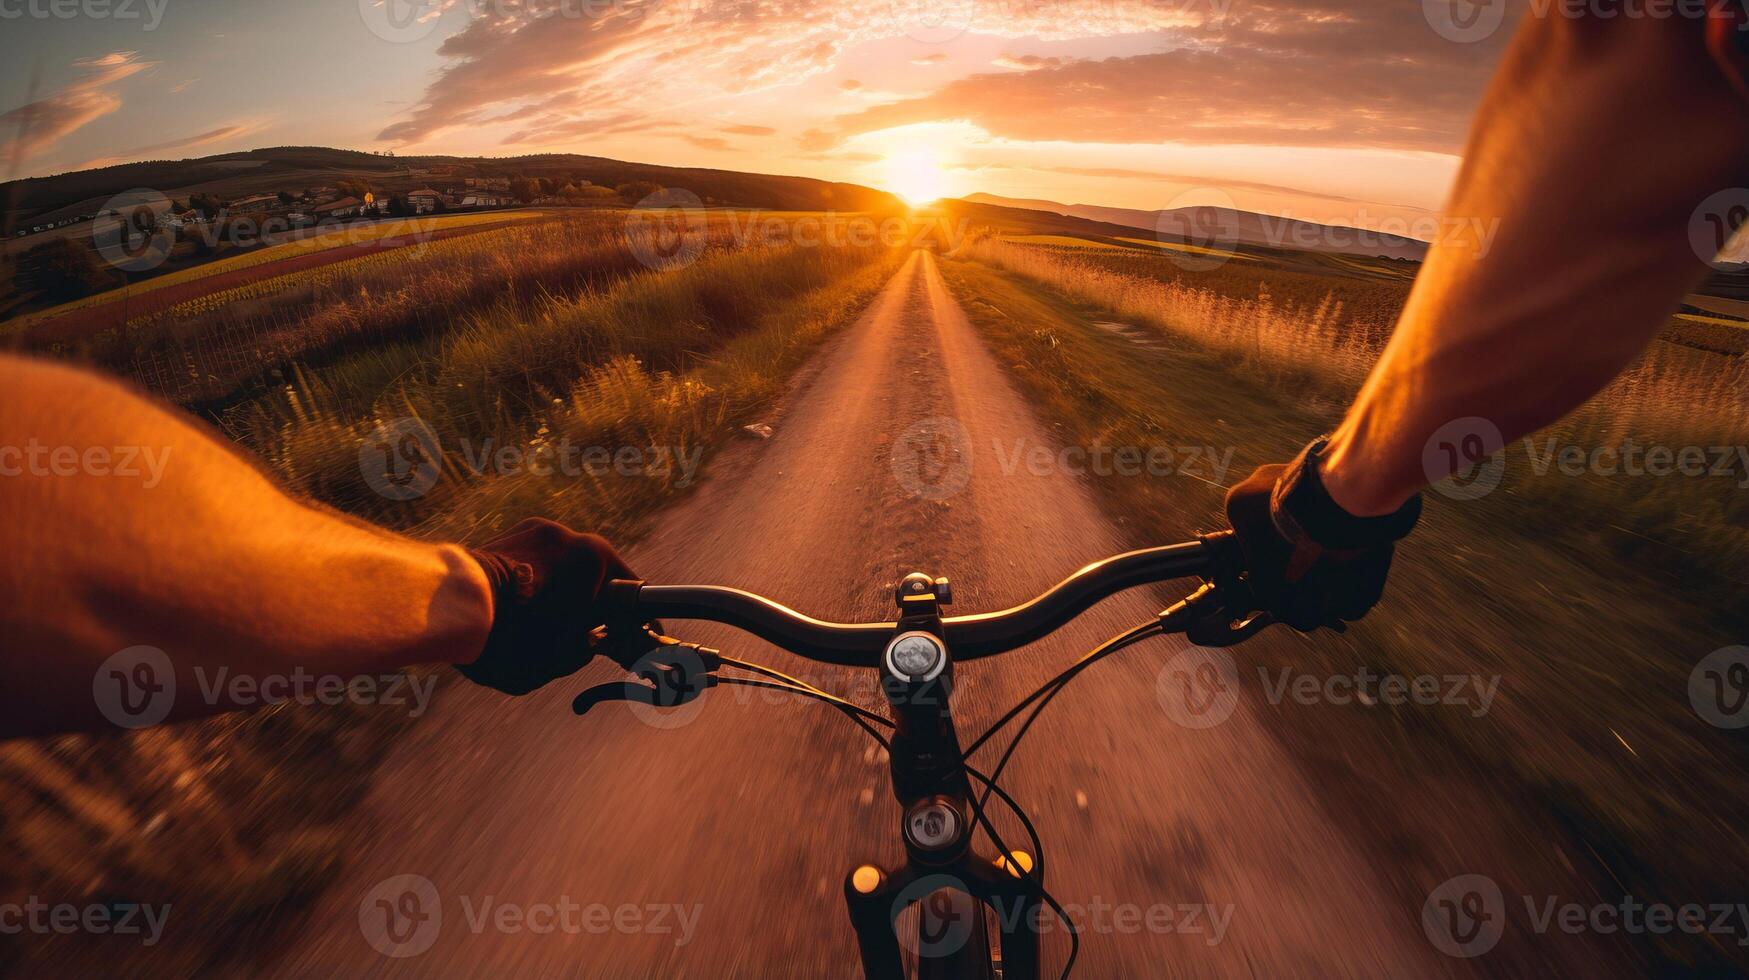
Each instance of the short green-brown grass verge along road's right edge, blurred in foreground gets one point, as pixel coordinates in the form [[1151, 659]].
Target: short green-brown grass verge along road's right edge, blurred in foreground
[[1591, 771]]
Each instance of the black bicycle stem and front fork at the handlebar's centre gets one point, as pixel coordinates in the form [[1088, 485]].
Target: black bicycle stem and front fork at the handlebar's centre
[[954, 888]]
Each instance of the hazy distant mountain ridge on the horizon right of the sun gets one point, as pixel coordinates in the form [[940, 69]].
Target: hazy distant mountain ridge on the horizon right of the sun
[[1230, 227]]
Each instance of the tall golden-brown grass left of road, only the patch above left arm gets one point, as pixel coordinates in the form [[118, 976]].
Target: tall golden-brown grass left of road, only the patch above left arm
[[526, 374]]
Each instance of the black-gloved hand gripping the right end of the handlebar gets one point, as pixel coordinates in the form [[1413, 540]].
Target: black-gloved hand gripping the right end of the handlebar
[[1311, 563]]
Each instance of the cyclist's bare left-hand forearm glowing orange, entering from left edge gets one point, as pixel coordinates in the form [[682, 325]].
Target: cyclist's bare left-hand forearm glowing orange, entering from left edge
[[127, 524]]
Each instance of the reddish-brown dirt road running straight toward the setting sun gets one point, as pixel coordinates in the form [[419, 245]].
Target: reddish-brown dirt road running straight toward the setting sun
[[713, 843]]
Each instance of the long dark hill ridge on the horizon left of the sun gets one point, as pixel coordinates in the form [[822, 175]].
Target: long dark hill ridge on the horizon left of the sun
[[291, 169]]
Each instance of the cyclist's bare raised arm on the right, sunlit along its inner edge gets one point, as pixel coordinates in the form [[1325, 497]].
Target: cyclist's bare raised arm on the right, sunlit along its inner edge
[[1592, 150]]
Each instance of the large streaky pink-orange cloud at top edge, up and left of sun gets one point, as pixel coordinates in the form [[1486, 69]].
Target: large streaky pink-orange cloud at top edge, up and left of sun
[[566, 73]]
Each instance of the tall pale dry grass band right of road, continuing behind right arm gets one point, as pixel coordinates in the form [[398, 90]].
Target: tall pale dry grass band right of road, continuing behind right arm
[[1671, 396]]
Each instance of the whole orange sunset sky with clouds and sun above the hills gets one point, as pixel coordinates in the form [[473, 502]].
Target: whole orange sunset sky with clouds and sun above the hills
[[1344, 111]]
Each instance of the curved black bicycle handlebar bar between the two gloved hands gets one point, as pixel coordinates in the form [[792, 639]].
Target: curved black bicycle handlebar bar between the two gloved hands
[[970, 638]]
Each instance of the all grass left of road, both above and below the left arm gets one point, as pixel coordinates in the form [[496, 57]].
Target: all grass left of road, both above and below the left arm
[[237, 822]]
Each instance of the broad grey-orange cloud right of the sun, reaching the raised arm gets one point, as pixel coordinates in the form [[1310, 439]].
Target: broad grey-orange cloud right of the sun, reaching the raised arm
[[1320, 73]]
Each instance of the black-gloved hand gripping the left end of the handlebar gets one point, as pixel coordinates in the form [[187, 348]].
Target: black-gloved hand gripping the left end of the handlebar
[[547, 585]]
